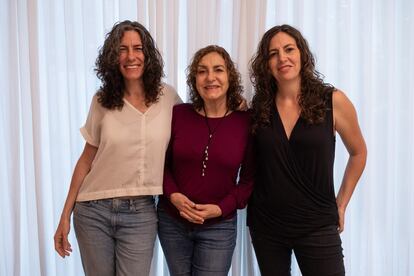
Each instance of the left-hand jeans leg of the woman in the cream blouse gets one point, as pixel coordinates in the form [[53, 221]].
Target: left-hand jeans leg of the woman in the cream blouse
[[94, 235]]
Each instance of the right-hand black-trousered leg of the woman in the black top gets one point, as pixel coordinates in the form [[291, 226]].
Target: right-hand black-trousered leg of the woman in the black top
[[320, 253]]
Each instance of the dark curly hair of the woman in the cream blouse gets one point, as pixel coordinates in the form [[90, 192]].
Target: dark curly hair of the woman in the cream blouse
[[111, 92]]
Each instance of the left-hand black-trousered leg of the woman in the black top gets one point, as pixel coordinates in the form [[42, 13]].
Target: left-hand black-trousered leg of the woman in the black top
[[274, 255]]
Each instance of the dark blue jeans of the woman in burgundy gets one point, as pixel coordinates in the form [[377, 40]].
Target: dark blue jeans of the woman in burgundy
[[204, 250]]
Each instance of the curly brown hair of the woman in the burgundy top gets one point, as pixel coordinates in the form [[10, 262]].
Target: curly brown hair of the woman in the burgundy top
[[235, 90]]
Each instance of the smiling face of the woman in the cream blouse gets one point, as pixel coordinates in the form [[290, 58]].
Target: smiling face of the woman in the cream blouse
[[131, 56]]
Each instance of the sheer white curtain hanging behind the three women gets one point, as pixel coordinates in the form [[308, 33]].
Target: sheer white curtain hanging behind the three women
[[47, 54]]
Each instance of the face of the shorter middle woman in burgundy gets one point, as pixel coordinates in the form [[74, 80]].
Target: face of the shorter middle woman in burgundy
[[212, 80]]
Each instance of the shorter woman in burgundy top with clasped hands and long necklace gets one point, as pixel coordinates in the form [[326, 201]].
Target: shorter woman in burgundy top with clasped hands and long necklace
[[209, 146]]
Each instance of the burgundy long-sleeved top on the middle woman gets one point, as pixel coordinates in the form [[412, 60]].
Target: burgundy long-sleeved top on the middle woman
[[229, 173]]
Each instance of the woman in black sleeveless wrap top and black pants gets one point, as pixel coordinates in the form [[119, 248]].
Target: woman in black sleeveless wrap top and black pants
[[293, 207]]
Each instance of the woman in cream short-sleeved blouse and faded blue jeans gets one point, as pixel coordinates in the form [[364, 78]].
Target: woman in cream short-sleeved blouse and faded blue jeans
[[121, 167]]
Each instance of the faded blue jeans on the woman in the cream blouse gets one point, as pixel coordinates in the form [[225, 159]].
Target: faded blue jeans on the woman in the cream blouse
[[116, 236]]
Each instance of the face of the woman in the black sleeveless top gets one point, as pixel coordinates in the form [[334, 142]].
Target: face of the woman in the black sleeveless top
[[284, 58]]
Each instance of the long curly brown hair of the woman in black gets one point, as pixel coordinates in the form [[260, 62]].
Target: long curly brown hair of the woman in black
[[314, 92]]
